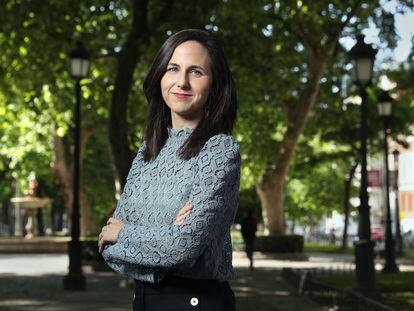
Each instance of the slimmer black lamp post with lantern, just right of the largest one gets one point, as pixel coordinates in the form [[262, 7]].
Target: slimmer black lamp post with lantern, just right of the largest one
[[384, 110]]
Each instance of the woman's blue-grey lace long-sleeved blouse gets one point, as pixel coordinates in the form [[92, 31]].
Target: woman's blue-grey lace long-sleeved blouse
[[149, 246]]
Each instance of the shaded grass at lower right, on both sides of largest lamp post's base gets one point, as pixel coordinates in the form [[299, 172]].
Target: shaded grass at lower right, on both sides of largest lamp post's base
[[397, 290]]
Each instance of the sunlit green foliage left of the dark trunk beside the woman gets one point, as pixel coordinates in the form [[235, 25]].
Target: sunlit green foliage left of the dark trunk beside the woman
[[37, 96]]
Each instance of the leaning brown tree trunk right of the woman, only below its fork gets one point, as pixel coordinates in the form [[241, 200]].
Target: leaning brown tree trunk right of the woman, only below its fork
[[271, 186]]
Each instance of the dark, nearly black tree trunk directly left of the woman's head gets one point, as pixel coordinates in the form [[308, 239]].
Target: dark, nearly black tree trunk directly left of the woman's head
[[120, 151]]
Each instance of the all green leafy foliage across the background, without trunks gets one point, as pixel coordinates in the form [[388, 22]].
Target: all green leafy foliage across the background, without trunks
[[269, 61]]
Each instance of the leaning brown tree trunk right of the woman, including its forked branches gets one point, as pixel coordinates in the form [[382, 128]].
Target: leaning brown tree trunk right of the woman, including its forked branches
[[271, 185]]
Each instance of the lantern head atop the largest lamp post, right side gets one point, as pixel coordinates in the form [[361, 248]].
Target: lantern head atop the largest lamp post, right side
[[363, 57]]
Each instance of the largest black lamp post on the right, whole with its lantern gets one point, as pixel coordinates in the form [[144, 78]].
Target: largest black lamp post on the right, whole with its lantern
[[363, 56]]
